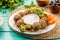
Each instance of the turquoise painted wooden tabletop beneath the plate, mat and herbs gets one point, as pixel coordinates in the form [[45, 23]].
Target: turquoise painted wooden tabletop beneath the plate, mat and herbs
[[6, 33]]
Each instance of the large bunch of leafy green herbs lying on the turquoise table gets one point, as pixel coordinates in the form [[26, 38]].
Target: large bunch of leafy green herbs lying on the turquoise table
[[12, 4]]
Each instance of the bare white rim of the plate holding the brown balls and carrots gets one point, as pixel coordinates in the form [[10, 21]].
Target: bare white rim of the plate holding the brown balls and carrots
[[14, 27]]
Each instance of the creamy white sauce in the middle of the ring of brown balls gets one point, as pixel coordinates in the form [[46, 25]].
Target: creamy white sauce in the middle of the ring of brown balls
[[30, 18]]
